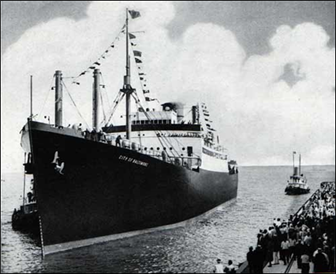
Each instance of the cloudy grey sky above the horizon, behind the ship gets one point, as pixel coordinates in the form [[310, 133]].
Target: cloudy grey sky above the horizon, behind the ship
[[265, 69]]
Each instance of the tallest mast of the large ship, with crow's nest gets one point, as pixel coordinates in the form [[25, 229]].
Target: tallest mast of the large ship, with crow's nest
[[127, 89]]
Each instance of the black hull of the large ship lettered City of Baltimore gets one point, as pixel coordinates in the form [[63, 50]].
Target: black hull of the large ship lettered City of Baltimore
[[103, 192]]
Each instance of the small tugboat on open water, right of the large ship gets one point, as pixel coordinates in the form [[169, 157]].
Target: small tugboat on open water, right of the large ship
[[297, 183]]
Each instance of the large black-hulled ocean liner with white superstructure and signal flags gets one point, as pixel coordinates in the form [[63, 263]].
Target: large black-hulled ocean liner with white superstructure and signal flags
[[161, 169]]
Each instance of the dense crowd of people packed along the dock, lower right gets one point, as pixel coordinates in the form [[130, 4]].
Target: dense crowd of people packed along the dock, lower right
[[308, 237]]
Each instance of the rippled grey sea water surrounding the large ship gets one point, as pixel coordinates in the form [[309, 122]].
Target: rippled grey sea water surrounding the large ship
[[226, 234]]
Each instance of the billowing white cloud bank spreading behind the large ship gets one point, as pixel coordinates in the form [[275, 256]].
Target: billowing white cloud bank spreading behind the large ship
[[259, 115]]
